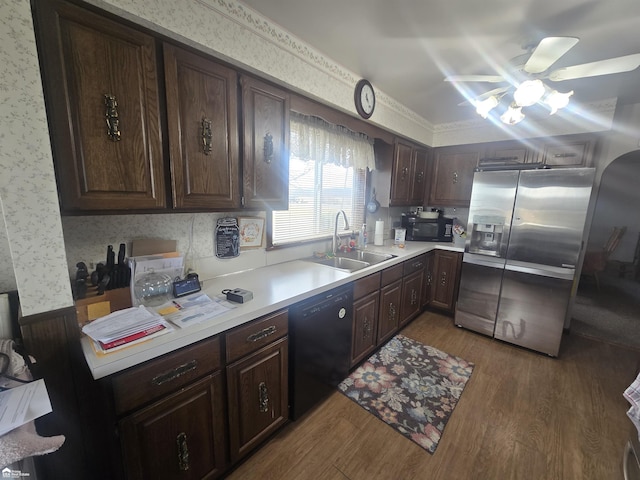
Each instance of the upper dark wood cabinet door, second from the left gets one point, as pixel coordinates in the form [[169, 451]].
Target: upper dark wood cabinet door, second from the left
[[203, 131]]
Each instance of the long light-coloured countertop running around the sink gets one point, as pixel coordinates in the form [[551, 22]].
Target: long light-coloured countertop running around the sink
[[274, 287]]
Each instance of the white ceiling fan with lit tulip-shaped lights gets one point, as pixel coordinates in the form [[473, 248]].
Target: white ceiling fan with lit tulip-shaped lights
[[526, 79]]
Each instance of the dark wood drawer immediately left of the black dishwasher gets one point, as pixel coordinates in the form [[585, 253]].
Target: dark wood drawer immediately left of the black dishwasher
[[256, 334]]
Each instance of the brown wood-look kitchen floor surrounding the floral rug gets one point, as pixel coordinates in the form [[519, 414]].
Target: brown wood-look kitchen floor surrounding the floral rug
[[523, 415]]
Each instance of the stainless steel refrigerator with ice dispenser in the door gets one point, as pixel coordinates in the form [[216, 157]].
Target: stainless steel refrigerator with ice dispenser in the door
[[524, 239]]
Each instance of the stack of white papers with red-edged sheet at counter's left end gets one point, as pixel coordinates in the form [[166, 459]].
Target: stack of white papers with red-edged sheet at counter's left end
[[124, 328]]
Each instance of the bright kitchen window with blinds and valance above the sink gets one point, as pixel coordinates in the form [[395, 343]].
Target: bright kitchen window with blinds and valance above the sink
[[327, 173]]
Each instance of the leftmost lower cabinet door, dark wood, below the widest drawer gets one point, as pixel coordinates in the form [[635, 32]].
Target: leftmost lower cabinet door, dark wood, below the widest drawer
[[181, 436]]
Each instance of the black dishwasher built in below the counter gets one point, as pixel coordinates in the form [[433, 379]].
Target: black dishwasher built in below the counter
[[320, 347]]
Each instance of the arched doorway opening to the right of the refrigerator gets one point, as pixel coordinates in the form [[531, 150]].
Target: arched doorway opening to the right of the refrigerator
[[611, 311]]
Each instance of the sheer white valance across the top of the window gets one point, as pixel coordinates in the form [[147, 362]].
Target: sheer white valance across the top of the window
[[315, 139]]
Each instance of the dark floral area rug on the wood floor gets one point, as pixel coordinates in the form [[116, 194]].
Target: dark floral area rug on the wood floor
[[411, 386]]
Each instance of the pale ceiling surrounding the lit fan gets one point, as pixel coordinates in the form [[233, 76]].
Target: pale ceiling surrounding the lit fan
[[407, 47]]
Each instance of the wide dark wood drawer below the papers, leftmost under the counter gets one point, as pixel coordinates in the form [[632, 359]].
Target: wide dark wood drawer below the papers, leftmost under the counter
[[159, 377]]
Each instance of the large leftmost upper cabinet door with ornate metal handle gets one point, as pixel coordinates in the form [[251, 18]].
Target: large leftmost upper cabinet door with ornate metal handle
[[97, 69]]
